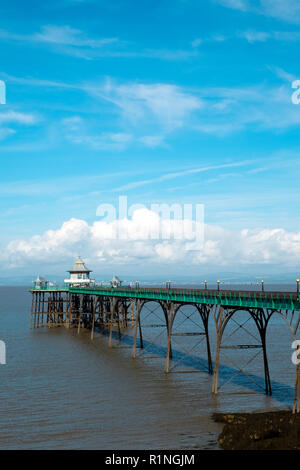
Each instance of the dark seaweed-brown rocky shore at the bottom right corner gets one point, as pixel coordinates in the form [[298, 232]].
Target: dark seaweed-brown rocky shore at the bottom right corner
[[278, 430]]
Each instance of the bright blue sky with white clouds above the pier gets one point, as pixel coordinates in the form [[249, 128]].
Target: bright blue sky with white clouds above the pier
[[178, 101]]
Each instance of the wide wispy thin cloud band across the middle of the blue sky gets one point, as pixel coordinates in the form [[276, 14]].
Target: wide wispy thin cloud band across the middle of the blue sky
[[151, 113]]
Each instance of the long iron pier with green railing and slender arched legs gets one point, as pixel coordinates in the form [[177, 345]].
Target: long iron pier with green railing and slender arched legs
[[114, 310]]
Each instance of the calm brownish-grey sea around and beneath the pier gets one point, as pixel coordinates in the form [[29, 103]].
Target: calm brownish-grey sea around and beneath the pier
[[59, 390]]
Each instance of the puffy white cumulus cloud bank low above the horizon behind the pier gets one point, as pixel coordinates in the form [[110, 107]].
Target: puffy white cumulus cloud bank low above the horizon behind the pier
[[221, 247]]
